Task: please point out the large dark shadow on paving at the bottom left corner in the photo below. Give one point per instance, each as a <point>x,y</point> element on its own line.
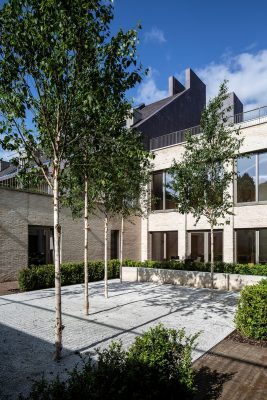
<point>26,358</point>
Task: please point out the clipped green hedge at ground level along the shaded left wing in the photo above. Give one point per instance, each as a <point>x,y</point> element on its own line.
<point>43,276</point>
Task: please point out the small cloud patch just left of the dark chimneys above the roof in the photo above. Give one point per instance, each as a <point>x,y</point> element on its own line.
<point>148,92</point>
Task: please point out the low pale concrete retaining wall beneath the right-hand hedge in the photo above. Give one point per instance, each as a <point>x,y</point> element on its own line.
<point>234,282</point>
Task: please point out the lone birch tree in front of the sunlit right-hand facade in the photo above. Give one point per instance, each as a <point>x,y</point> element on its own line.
<point>201,181</point>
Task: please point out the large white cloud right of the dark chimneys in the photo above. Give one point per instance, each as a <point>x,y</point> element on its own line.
<point>247,76</point>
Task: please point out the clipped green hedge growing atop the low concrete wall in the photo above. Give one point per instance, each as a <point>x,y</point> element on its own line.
<point>231,268</point>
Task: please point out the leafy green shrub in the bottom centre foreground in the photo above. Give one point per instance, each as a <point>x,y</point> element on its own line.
<point>156,366</point>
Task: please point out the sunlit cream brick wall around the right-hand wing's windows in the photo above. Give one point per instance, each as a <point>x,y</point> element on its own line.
<point>245,216</point>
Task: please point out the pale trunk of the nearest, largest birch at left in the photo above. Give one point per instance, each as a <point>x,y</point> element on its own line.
<point>57,234</point>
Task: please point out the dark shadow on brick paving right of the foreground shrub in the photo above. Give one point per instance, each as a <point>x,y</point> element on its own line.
<point>210,383</point>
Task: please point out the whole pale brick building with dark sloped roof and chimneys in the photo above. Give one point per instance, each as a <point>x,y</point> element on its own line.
<point>26,217</point>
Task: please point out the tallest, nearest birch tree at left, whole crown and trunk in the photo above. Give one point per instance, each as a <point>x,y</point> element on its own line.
<point>48,55</point>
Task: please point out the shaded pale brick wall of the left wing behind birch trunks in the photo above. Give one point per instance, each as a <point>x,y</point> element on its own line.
<point>19,209</point>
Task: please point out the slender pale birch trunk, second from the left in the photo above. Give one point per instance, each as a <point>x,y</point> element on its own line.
<point>86,227</point>
